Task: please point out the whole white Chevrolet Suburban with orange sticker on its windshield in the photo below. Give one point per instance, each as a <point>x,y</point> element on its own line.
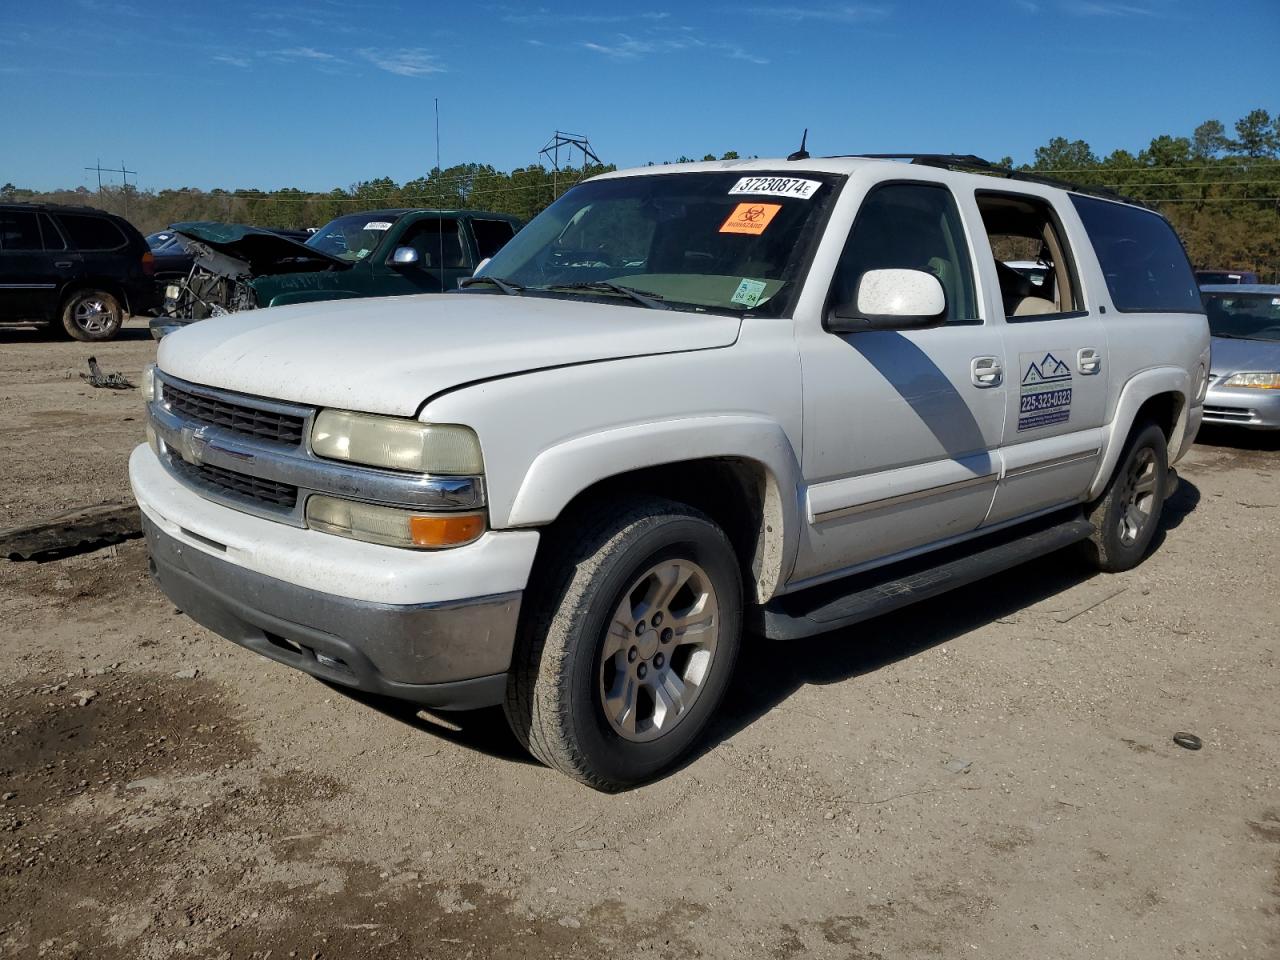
<point>684,403</point>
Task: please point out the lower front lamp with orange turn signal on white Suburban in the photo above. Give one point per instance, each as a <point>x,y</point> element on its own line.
<point>391,525</point>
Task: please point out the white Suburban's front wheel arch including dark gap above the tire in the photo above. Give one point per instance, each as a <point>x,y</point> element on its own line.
<point>740,472</point>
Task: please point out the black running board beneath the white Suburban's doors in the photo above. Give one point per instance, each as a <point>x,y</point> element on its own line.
<point>866,596</point>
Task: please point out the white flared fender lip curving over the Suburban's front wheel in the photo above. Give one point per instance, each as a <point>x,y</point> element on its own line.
<point>561,473</point>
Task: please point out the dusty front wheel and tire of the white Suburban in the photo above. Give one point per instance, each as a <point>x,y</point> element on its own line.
<point>595,570</point>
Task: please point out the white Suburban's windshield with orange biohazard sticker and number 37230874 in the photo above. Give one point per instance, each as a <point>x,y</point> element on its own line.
<point>701,241</point>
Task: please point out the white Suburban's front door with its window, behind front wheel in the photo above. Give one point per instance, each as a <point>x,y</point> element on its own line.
<point>903,428</point>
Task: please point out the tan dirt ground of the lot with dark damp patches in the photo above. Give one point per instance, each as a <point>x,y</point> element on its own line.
<point>990,775</point>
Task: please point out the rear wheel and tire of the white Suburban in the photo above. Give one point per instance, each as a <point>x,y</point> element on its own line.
<point>1127,515</point>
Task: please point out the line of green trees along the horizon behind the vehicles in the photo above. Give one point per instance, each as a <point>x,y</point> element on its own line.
<point>1220,191</point>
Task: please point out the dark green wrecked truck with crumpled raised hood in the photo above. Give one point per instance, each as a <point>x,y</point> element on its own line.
<point>374,254</point>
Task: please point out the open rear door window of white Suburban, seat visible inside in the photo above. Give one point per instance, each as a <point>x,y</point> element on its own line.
<point>1034,263</point>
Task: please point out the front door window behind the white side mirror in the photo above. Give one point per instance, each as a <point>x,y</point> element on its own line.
<point>915,227</point>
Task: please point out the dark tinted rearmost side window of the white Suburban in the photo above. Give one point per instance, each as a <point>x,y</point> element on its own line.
<point>1141,257</point>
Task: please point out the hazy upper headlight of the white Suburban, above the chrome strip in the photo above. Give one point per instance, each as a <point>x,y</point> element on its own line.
<point>397,444</point>
